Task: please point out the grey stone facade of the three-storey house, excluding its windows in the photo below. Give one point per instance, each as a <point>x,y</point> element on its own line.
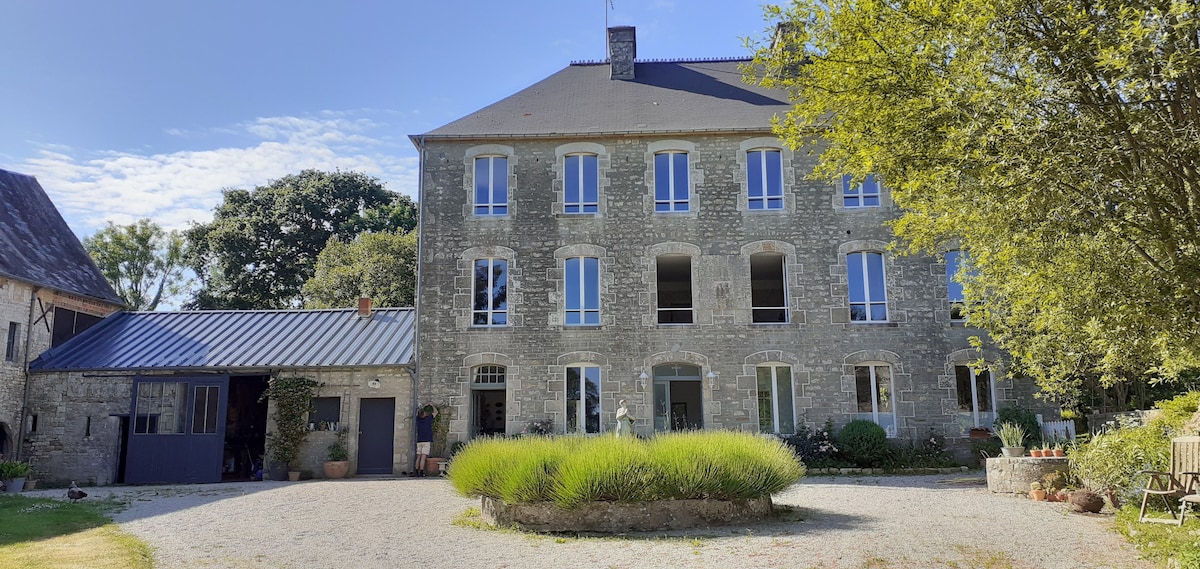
<point>814,232</point>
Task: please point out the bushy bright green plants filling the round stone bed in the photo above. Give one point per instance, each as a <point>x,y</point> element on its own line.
<point>574,470</point>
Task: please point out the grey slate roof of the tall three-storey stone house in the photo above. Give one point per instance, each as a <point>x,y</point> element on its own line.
<point>664,97</point>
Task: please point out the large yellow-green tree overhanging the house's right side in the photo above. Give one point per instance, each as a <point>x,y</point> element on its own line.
<point>1057,142</point>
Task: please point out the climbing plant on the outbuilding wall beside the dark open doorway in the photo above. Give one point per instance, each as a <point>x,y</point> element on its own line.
<point>292,398</point>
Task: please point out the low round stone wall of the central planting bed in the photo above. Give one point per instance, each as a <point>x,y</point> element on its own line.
<point>620,517</point>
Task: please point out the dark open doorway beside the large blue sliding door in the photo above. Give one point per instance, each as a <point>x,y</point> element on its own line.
<point>245,428</point>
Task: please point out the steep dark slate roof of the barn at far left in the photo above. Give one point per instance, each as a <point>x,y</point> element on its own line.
<point>38,247</point>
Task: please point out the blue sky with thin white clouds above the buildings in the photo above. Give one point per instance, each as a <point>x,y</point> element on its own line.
<point>128,110</point>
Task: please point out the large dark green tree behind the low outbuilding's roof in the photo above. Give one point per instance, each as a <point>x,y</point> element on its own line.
<point>262,245</point>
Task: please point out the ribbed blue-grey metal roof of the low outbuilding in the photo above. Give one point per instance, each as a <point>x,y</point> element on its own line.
<point>231,340</point>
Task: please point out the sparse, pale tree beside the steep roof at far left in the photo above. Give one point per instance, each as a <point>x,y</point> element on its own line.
<point>142,262</point>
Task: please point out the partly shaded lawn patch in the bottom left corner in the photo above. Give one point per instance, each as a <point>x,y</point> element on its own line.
<point>38,534</point>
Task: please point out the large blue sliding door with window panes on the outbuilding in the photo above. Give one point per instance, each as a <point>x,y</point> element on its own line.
<point>177,430</point>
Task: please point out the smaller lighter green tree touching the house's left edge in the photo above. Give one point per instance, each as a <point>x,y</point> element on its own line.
<point>381,266</point>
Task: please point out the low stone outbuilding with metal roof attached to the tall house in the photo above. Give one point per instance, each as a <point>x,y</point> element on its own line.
<point>177,397</point>
